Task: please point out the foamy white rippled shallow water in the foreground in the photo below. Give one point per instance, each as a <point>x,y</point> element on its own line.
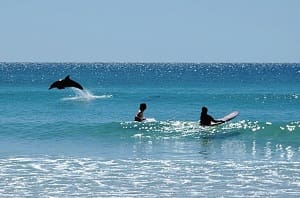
<point>83,177</point>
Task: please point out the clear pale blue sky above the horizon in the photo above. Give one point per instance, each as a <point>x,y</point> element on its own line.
<point>150,31</point>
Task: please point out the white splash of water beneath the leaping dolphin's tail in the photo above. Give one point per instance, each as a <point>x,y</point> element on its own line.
<point>85,95</point>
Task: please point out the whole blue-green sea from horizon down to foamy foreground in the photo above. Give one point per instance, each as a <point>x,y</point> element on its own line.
<point>73,143</point>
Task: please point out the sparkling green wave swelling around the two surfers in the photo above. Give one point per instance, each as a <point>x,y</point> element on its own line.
<point>183,129</point>
